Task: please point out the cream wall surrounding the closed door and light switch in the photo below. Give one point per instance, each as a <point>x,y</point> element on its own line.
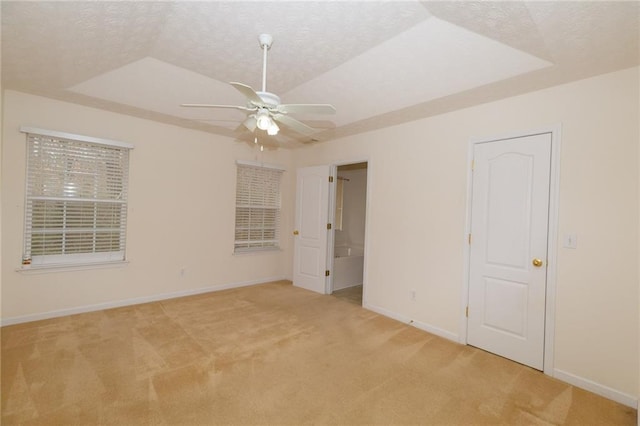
<point>416,218</point>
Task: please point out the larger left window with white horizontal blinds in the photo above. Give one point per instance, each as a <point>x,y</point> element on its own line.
<point>76,199</point>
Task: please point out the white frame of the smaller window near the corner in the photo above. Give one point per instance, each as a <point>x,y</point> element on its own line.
<point>271,207</point>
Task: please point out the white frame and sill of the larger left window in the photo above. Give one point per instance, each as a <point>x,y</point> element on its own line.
<point>87,209</point>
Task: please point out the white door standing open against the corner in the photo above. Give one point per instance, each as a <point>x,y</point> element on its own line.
<point>310,235</point>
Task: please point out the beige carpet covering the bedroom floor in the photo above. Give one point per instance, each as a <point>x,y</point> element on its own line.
<point>270,354</point>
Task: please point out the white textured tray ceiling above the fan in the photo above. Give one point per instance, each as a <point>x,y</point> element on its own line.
<point>380,63</point>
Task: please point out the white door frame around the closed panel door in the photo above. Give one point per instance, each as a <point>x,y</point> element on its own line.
<point>552,238</point>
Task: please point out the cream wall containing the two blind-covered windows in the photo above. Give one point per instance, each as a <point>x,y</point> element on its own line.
<point>181,213</point>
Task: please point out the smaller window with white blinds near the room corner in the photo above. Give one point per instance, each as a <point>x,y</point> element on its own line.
<point>257,208</point>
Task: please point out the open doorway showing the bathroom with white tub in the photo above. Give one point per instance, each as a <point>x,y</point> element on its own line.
<point>349,238</point>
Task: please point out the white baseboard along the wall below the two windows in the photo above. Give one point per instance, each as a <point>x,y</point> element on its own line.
<point>134,301</point>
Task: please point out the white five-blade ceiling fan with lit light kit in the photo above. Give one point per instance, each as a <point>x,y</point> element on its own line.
<point>264,108</point>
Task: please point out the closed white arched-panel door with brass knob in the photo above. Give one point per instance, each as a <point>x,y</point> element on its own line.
<point>508,257</point>
